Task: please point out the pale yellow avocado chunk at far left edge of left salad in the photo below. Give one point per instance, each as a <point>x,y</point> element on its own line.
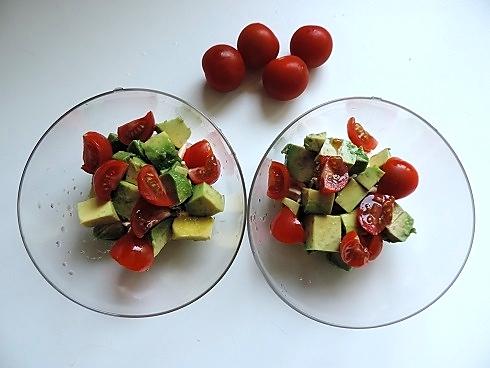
<point>92,213</point>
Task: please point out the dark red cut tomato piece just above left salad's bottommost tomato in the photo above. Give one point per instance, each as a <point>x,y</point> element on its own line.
<point>145,215</point>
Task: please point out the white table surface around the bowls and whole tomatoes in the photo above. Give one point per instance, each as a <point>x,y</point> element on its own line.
<point>431,56</point>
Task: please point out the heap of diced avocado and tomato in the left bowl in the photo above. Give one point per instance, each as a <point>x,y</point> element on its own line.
<point>149,186</point>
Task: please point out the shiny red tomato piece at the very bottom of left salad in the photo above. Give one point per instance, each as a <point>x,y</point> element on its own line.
<point>133,253</point>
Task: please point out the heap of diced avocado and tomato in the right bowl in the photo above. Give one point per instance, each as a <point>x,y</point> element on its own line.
<point>340,199</point>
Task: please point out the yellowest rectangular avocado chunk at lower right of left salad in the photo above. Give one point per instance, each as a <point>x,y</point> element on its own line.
<point>192,228</point>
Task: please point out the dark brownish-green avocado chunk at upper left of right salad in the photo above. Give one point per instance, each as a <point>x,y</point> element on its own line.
<point>300,162</point>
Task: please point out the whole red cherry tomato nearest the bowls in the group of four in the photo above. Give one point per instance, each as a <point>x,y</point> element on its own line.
<point>285,78</point>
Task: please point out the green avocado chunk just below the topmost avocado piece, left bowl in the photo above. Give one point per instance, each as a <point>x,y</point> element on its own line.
<point>160,150</point>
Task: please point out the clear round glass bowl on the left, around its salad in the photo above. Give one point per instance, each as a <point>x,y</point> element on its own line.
<point>73,261</point>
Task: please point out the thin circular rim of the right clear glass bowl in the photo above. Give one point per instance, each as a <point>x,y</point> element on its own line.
<point>249,207</point>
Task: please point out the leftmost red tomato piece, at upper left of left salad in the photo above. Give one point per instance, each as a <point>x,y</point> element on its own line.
<point>96,150</point>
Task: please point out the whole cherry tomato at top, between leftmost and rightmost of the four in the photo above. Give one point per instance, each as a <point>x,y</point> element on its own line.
<point>258,45</point>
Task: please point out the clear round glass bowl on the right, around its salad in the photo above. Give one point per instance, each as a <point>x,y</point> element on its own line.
<point>407,277</point>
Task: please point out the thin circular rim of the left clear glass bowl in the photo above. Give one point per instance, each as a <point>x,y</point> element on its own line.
<point>90,99</point>
